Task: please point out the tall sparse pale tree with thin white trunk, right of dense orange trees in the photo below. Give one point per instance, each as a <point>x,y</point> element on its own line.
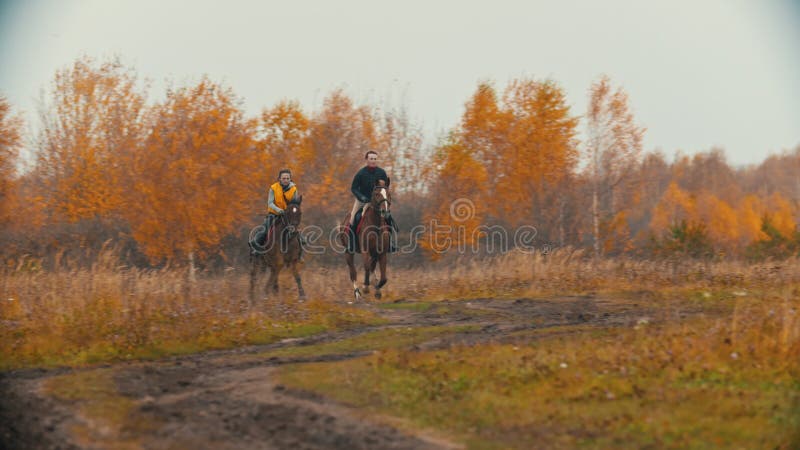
<point>613,149</point>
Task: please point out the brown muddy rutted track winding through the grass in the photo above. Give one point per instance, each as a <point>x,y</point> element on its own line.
<point>228,399</point>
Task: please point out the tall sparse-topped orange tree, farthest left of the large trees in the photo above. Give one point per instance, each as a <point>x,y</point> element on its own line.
<point>91,123</point>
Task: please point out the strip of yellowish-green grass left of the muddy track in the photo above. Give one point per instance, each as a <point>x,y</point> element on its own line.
<point>104,331</point>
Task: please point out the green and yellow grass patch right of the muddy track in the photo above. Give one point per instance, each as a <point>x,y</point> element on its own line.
<point>701,384</point>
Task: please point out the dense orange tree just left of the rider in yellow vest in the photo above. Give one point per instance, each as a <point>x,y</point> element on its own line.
<point>196,174</point>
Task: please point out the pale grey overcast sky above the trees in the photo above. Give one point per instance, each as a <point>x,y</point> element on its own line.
<point>699,73</point>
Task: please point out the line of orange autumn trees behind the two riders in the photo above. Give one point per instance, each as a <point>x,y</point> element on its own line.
<point>184,177</point>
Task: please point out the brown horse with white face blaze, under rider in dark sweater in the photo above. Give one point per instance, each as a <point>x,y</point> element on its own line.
<point>373,239</point>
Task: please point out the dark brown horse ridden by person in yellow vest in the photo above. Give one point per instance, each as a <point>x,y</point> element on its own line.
<point>283,248</point>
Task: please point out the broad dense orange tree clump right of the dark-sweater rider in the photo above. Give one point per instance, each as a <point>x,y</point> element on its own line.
<point>507,158</point>
